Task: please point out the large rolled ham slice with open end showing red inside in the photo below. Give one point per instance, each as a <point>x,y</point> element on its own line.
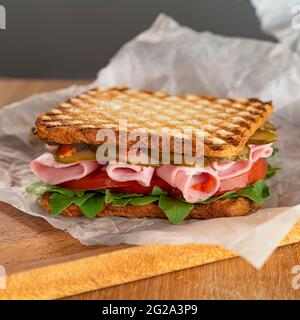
<point>184,178</point>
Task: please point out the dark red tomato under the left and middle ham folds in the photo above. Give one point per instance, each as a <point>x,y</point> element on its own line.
<point>99,180</point>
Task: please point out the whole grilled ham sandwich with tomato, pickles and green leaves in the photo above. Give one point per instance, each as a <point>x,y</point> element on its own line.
<point>75,179</point>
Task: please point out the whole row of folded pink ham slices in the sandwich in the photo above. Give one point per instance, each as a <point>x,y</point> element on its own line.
<point>196,184</point>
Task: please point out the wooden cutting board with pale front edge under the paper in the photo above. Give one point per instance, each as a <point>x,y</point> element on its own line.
<point>44,263</point>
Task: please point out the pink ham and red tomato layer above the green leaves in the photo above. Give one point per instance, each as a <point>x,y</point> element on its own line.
<point>195,184</point>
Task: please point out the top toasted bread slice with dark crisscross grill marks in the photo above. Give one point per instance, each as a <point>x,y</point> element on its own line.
<point>227,123</point>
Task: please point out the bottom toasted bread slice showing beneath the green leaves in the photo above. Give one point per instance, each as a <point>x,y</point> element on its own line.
<point>220,208</point>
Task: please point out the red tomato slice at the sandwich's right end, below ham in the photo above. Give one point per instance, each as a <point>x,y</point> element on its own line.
<point>258,171</point>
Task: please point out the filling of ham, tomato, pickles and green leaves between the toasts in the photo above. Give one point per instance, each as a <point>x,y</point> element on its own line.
<point>74,176</point>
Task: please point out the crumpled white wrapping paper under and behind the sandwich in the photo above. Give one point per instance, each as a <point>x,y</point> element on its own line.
<point>179,60</point>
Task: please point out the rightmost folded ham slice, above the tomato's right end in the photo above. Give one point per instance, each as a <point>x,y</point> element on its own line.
<point>227,170</point>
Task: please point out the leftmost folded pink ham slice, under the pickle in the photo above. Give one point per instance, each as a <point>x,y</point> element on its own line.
<point>48,170</point>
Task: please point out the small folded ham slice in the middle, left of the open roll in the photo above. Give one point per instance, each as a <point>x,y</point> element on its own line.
<point>125,172</point>
